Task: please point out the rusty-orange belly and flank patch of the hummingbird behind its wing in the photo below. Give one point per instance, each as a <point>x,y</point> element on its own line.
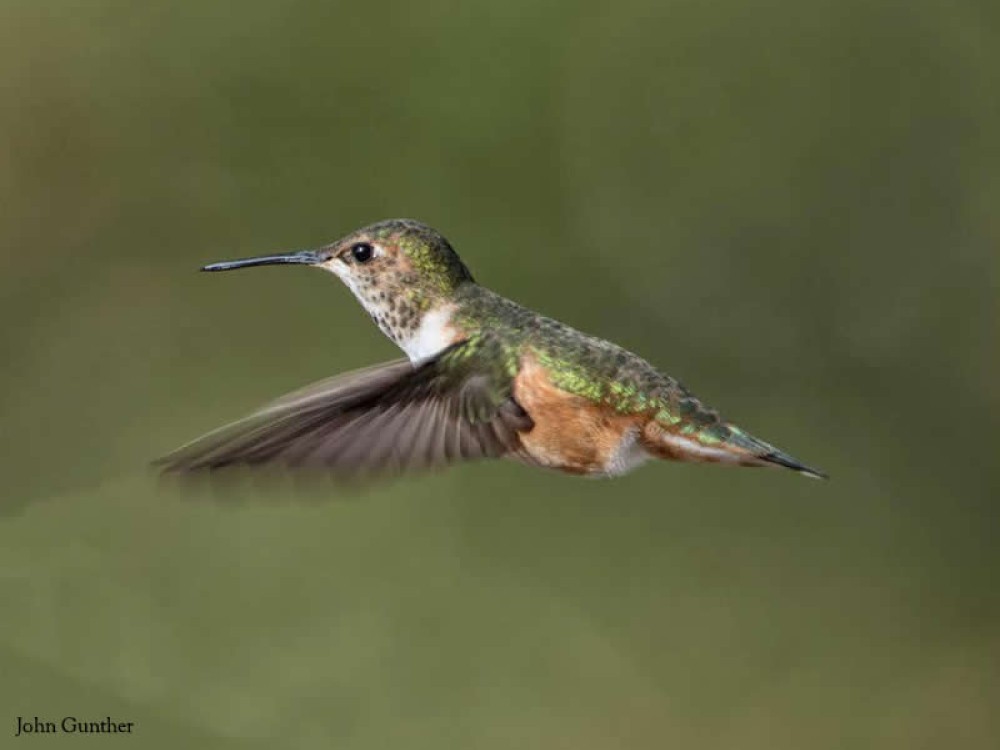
<point>573,434</point>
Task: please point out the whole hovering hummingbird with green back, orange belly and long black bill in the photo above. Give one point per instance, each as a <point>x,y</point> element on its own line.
<point>483,377</point>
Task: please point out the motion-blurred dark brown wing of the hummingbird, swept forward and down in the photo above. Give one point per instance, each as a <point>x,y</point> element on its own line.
<point>387,419</point>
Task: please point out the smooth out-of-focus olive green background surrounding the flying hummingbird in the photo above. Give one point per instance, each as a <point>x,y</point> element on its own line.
<point>791,206</point>
